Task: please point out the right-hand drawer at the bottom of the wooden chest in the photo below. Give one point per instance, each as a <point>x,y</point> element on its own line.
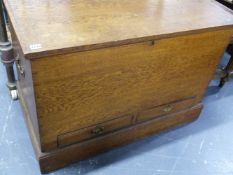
<point>165,109</point>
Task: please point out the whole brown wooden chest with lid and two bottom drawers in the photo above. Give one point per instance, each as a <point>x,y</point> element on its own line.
<point>94,75</point>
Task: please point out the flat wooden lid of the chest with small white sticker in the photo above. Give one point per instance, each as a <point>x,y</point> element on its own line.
<point>55,26</point>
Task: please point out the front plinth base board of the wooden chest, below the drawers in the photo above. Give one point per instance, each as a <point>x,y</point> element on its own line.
<point>74,153</point>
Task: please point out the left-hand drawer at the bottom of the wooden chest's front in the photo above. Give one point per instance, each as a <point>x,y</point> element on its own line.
<point>94,131</point>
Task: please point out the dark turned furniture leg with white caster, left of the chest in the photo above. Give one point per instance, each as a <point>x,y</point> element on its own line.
<point>7,54</point>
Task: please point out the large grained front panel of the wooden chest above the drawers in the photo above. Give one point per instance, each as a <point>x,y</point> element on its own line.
<point>78,90</point>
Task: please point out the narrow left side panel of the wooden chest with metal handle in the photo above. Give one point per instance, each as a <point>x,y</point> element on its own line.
<point>25,86</point>
